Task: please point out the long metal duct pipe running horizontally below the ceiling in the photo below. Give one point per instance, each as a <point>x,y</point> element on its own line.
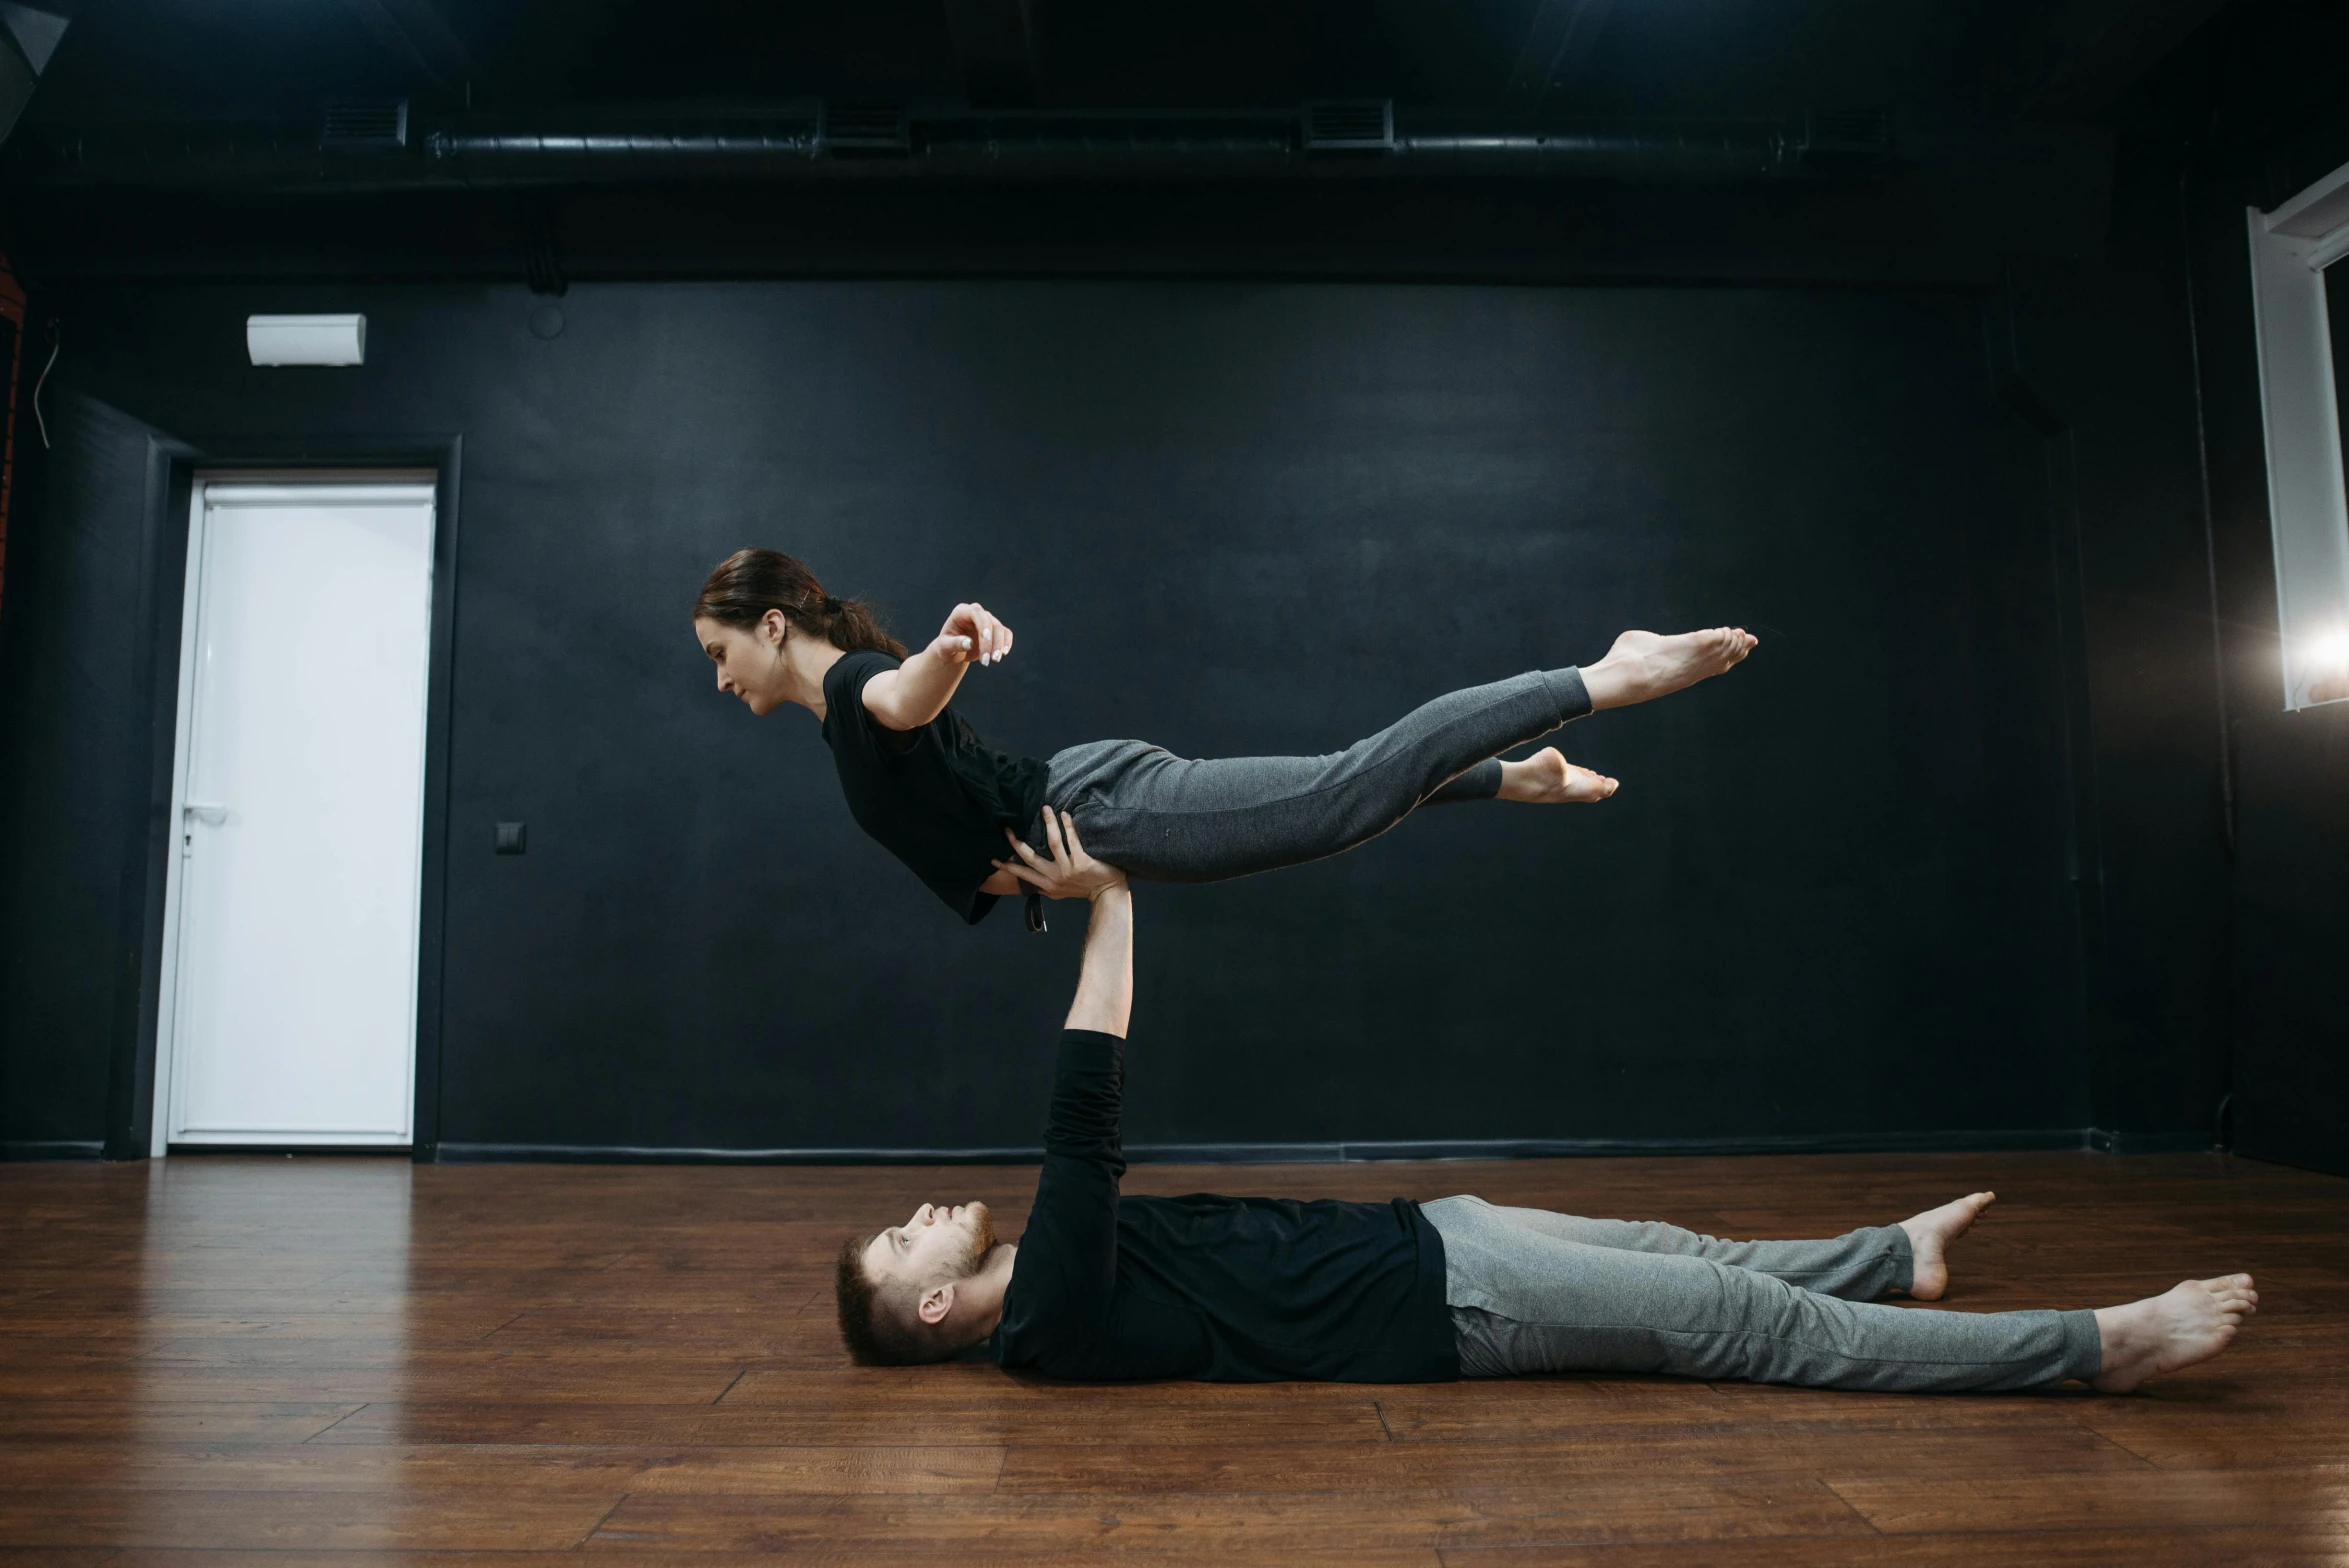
<point>887,144</point>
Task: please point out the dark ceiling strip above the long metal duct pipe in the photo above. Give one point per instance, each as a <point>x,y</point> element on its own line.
<point>1930,62</point>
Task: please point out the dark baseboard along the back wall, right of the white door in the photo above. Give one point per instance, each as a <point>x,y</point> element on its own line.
<point>1359,1151</point>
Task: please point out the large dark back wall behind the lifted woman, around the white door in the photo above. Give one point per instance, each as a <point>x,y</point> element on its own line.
<point>1836,895</point>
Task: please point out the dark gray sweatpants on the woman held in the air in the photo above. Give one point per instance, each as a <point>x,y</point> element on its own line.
<point>1166,818</point>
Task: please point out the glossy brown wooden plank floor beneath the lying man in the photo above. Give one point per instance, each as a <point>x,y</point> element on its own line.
<point>220,1360</point>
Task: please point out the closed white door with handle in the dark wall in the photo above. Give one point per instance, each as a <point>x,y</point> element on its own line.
<point>302,762</point>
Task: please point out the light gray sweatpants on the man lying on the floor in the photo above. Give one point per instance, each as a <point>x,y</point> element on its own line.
<point>1540,1292</point>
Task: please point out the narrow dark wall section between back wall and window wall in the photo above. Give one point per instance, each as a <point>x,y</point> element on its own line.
<point>2111,353</point>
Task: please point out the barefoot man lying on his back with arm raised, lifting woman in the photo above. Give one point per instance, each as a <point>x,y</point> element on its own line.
<point>1110,1287</point>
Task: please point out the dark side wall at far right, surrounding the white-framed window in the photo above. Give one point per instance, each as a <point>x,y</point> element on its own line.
<point>2254,116</point>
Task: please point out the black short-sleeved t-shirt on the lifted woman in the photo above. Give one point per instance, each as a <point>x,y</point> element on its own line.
<point>934,797</point>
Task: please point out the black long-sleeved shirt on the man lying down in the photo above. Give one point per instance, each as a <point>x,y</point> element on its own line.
<point>1227,1290</point>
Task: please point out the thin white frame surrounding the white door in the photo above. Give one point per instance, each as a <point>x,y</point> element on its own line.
<point>189,635</point>
